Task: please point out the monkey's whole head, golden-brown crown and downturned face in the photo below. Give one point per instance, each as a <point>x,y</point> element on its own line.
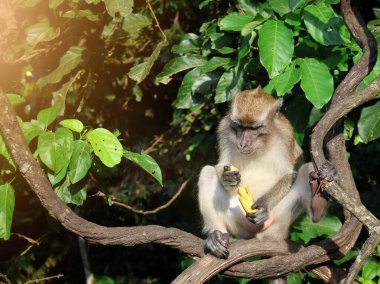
<point>251,120</point>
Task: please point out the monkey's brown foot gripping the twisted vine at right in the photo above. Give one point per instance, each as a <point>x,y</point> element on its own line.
<point>319,199</point>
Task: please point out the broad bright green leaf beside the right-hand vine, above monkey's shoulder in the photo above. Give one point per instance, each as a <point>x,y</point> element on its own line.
<point>316,82</point>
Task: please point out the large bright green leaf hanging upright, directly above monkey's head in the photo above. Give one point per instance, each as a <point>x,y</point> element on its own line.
<point>275,46</point>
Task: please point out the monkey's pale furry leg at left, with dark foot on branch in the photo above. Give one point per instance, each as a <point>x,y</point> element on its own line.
<point>213,204</point>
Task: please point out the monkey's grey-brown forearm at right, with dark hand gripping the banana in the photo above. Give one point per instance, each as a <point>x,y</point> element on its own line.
<point>269,200</point>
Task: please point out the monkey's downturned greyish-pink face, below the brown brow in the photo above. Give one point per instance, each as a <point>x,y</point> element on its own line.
<point>249,138</point>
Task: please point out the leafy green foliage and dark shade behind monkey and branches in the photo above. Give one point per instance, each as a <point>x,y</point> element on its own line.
<point>108,90</point>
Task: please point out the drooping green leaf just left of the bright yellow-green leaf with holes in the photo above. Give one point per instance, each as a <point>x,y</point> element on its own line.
<point>80,161</point>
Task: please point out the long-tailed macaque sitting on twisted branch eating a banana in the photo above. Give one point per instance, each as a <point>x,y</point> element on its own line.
<point>258,140</point>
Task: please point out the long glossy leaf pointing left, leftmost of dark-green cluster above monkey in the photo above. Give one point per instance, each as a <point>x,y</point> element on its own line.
<point>179,64</point>
